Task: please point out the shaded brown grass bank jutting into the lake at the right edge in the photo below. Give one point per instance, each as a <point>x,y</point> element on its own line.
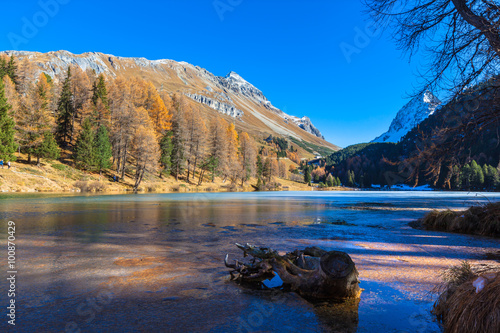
<point>477,220</point>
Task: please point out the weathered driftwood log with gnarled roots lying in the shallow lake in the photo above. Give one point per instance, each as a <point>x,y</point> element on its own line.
<point>313,273</point>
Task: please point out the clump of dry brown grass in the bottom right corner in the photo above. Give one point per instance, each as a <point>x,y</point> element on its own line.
<point>460,308</point>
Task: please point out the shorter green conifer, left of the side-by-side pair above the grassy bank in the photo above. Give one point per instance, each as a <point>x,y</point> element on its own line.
<point>85,155</point>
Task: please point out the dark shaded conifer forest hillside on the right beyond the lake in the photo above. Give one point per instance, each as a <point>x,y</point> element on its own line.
<point>456,148</point>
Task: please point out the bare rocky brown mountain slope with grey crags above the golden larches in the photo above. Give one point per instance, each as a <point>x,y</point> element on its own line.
<point>231,95</point>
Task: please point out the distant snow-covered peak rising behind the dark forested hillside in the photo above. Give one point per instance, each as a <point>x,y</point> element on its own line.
<point>411,115</point>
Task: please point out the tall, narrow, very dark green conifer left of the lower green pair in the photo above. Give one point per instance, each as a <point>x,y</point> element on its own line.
<point>65,111</point>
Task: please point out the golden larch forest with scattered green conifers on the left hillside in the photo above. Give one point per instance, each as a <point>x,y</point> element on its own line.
<point>126,126</point>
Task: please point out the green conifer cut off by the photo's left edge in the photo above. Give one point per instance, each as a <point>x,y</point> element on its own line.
<point>7,143</point>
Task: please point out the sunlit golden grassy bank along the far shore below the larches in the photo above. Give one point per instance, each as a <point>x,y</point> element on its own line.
<point>57,178</point>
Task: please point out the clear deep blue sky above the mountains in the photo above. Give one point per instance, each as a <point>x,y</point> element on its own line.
<point>291,50</point>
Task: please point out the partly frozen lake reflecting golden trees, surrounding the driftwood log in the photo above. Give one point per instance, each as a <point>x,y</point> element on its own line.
<point>154,262</point>
